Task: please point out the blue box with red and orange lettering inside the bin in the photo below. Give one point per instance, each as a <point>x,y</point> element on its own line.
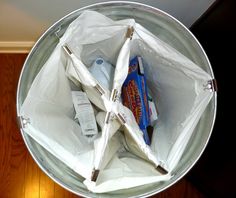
<point>135,95</point>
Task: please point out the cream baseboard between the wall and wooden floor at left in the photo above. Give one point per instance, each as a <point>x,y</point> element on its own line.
<point>16,46</point>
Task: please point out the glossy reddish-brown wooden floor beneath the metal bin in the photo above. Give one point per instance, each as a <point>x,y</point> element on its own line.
<point>19,174</point>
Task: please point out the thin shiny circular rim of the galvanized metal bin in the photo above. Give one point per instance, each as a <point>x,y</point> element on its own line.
<point>135,5</point>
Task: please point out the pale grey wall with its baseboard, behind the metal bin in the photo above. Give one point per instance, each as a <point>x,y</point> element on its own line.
<point>22,22</point>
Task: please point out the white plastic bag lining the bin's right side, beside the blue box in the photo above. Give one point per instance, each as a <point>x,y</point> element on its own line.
<point>178,85</point>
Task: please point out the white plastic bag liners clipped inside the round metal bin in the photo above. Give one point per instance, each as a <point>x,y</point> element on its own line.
<point>176,84</point>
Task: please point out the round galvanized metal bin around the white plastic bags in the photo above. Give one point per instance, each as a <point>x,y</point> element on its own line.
<point>162,25</point>
